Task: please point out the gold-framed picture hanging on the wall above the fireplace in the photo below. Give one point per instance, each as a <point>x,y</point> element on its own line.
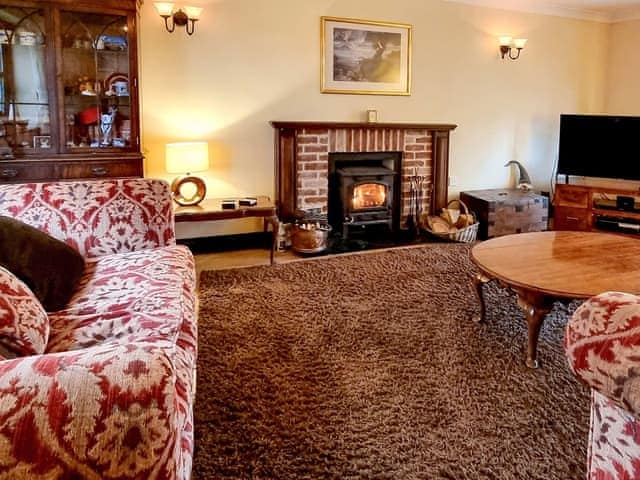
<point>365,57</point>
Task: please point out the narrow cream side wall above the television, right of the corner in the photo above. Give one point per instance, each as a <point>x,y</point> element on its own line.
<point>623,72</point>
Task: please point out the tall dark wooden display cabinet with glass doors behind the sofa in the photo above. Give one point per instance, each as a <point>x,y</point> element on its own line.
<point>69,104</point>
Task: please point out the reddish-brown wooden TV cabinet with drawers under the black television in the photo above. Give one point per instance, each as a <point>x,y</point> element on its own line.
<point>576,207</point>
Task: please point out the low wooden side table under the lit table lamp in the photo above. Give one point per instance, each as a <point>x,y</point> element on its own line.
<point>211,209</point>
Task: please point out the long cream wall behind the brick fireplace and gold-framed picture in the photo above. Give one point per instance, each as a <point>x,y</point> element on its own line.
<point>252,61</point>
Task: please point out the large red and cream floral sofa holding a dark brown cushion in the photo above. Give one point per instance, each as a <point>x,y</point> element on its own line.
<point>112,395</point>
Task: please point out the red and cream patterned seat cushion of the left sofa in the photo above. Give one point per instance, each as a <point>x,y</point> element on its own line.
<point>125,298</point>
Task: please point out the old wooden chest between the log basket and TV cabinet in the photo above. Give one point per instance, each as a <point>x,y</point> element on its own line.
<point>506,211</point>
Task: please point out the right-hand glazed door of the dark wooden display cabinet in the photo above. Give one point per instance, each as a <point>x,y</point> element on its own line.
<point>98,113</point>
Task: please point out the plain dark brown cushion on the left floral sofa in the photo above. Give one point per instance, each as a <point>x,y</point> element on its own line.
<point>49,267</point>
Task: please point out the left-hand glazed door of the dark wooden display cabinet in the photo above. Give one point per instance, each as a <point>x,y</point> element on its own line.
<point>25,114</point>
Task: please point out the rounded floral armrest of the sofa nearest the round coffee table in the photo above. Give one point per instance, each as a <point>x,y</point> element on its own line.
<point>602,346</point>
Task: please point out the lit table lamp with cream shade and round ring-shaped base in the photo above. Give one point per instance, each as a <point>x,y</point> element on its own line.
<point>185,158</point>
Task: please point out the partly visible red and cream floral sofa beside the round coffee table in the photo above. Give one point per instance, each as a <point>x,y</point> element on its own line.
<point>602,344</point>
